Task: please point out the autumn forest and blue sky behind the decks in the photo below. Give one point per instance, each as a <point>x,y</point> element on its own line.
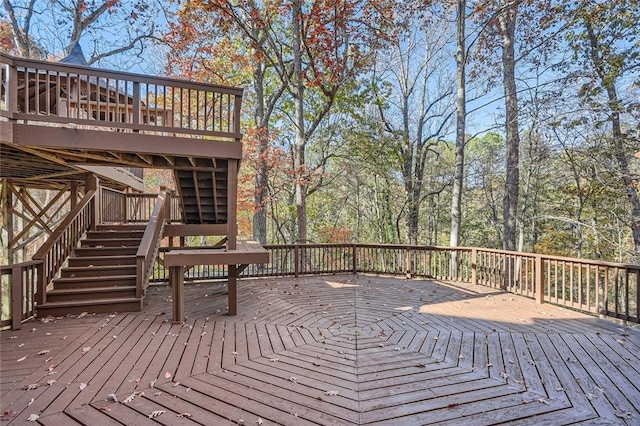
<point>491,123</point>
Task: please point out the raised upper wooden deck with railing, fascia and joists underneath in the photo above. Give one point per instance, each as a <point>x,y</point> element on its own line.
<point>55,115</point>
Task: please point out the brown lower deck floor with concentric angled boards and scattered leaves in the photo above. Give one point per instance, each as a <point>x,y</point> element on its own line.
<point>326,350</point>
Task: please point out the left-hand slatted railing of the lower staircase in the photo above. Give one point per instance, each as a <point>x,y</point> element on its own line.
<point>57,248</point>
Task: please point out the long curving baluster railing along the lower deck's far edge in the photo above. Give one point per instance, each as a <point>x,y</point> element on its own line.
<point>603,288</point>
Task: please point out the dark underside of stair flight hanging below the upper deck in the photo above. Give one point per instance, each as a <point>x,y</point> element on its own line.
<point>203,194</point>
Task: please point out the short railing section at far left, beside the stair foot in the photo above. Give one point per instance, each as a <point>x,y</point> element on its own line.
<point>19,283</point>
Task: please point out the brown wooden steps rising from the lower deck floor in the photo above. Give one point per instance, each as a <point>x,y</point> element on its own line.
<point>100,276</point>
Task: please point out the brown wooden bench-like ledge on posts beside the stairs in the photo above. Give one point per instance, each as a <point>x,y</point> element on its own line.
<point>245,254</point>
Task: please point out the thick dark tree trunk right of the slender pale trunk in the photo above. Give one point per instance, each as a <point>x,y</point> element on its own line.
<point>510,201</point>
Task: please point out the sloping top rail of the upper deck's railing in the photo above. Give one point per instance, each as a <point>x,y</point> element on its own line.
<point>113,74</point>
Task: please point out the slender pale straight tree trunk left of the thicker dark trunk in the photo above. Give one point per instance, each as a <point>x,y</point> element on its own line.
<point>456,199</point>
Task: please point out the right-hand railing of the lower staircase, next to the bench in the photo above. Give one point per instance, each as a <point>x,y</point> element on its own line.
<point>150,244</point>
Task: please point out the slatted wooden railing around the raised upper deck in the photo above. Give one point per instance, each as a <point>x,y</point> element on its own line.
<point>107,100</point>
